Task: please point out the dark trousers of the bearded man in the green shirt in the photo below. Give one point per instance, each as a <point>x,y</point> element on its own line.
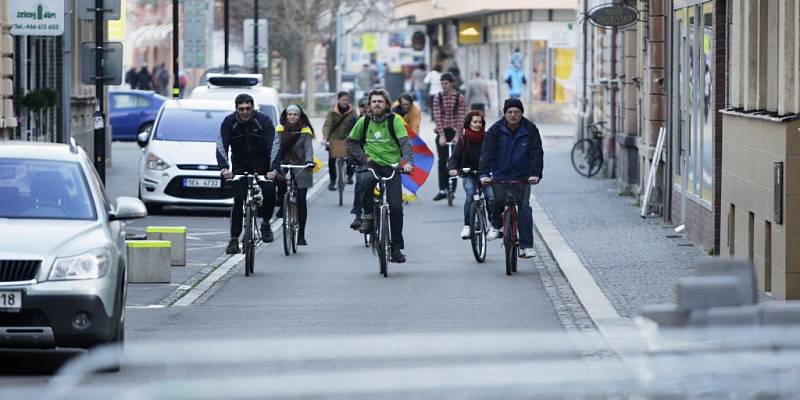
<point>394,194</point>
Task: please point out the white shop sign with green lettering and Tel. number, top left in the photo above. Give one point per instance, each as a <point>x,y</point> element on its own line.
<point>36,18</point>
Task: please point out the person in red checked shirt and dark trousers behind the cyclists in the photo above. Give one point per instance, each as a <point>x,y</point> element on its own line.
<point>449,110</point>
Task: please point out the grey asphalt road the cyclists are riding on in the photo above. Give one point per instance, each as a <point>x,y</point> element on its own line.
<point>331,287</point>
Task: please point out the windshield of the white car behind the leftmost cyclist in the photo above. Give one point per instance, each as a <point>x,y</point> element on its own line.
<point>190,125</point>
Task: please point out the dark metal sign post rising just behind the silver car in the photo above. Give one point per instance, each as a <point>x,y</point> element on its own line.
<point>99,116</point>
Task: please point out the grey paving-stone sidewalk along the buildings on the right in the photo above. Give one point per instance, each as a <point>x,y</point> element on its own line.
<point>632,259</point>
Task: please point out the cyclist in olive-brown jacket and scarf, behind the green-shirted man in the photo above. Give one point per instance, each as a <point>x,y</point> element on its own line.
<point>338,122</point>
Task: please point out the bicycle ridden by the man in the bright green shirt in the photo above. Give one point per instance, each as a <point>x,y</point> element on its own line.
<point>380,235</point>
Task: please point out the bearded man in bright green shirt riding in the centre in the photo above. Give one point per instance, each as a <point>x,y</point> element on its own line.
<point>383,146</point>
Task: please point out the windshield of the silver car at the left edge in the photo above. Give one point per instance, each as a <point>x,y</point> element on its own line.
<point>42,189</point>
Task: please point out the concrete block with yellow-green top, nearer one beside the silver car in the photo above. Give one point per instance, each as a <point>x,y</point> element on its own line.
<point>148,261</point>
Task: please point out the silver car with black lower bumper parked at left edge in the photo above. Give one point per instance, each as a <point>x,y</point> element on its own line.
<point>62,256</point>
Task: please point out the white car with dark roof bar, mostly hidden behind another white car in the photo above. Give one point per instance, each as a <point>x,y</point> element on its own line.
<point>227,87</point>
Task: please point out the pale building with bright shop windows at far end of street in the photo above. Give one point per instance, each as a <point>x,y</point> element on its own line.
<point>479,37</point>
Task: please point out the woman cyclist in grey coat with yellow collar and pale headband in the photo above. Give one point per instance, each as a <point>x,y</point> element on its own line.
<point>293,145</point>
